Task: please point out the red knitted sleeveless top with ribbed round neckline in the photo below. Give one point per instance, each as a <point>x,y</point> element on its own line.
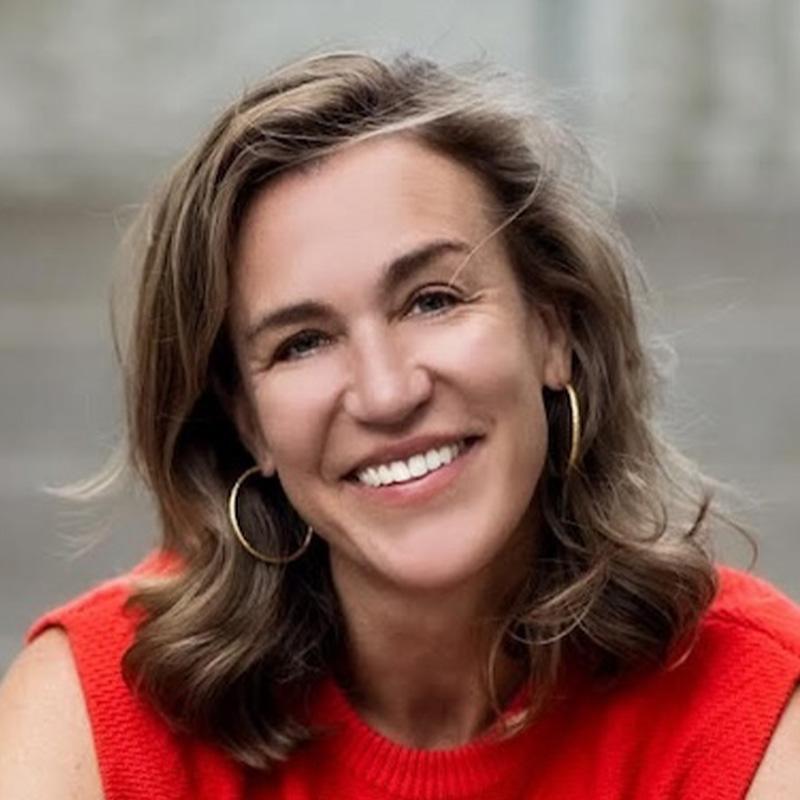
<point>697,730</point>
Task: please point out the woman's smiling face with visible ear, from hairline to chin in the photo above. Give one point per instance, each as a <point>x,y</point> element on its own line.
<point>392,373</point>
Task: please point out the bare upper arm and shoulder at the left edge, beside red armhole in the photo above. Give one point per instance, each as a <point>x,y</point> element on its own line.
<point>46,747</point>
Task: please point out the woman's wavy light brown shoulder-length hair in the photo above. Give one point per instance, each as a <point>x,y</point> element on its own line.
<point>227,644</point>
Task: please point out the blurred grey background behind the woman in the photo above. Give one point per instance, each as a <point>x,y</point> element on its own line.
<point>693,106</point>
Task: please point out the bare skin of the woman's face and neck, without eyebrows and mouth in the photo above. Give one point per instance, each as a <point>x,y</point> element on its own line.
<point>417,583</point>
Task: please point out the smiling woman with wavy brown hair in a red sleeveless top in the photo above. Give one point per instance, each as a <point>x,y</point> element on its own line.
<point>420,536</point>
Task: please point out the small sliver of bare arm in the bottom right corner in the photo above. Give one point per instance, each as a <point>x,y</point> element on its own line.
<point>778,776</point>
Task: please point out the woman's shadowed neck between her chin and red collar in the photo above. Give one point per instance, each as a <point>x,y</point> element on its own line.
<point>417,660</point>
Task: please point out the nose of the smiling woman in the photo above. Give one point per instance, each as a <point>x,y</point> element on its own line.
<point>386,387</point>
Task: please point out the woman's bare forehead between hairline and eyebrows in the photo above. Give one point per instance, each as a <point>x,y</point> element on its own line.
<point>360,207</point>
